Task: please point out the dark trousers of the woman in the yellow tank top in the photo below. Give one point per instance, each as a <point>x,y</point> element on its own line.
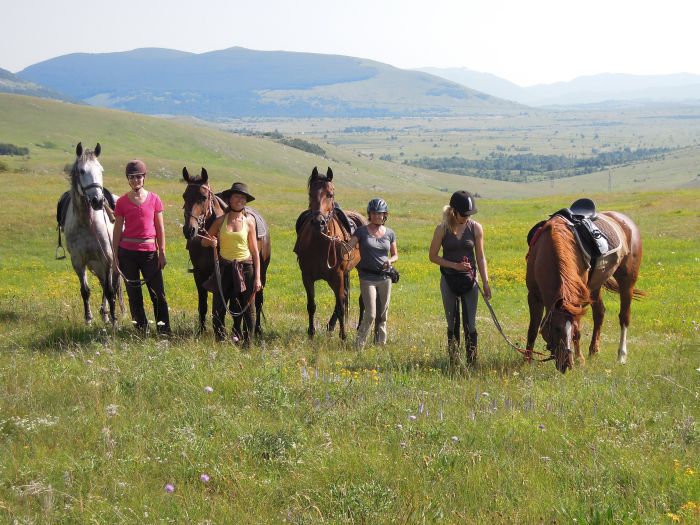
<point>238,303</point>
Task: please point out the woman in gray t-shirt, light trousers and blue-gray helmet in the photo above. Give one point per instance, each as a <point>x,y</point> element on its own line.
<point>377,251</point>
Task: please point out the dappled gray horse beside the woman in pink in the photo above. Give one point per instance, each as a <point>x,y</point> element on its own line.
<point>89,231</point>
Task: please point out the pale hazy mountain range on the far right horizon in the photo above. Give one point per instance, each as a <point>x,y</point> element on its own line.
<point>604,89</point>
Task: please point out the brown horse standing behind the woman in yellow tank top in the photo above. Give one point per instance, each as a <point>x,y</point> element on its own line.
<point>202,206</point>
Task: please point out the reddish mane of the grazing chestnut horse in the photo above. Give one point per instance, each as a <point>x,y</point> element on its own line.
<point>573,291</point>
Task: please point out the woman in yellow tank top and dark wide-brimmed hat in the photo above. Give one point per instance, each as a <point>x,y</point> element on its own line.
<point>235,235</point>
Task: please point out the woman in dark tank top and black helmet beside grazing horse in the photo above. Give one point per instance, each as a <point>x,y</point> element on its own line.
<point>462,241</point>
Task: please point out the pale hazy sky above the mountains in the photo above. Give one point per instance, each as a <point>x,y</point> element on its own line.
<point>525,41</point>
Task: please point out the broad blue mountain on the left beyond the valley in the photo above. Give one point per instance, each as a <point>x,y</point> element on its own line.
<point>240,82</point>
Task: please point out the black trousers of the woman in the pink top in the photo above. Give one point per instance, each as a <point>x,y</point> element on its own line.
<point>133,264</point>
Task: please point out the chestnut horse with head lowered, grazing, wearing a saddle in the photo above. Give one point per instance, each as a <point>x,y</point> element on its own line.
<point>559,285</point>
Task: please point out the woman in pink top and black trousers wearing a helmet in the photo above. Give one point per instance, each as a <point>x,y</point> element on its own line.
<point>139,248</point>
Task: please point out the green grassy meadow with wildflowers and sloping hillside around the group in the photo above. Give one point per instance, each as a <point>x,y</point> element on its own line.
<point>98,426</point>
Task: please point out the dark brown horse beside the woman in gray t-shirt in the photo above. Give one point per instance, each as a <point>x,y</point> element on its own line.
<point>323,232</point>
